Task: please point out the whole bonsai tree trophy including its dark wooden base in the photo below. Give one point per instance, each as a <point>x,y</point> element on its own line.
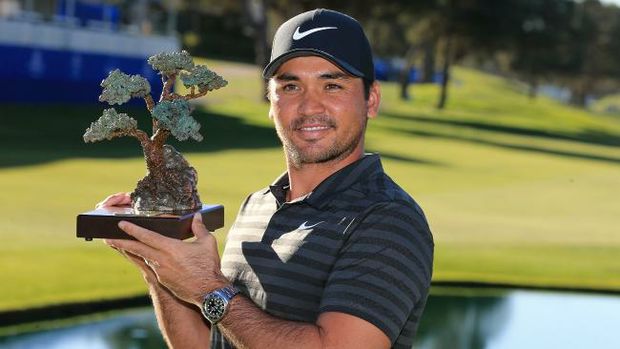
<point>166,199</point>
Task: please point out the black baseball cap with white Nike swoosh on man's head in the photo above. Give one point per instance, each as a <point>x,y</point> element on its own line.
<point>326,33</point>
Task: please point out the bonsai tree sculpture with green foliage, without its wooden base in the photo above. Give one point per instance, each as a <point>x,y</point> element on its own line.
<point>170,182</point>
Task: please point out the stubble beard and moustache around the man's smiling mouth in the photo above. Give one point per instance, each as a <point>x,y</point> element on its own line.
<point>337,150</point>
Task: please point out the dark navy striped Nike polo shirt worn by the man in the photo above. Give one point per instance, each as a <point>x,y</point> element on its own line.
<point>357,244</point>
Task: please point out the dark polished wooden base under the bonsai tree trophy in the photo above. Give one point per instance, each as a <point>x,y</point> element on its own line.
<point>103,222</point>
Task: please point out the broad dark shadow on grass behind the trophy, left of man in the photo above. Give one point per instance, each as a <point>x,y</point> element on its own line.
<point>38,134</point>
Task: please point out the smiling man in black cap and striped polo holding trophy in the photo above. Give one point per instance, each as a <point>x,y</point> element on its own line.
<point>333,253</point>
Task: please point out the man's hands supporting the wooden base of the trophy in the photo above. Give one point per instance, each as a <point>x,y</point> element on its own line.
<point>187,269</point>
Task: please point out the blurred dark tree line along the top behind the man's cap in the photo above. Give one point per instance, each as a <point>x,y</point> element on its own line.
<point>567,43</point>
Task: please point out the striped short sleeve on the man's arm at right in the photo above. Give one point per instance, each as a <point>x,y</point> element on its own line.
<point>383,271</point>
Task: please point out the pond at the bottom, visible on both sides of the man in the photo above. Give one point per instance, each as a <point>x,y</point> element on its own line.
<point>454,319</point>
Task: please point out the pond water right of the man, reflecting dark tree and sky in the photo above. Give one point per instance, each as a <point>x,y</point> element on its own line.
<point>520,319</point>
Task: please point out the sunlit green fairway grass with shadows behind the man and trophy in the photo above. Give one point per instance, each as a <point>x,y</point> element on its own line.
<point>516,191</point>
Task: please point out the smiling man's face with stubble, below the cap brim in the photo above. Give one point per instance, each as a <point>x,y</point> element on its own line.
<point>319,111</point>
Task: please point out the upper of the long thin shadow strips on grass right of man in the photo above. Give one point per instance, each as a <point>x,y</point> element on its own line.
<point>585,136</point>
